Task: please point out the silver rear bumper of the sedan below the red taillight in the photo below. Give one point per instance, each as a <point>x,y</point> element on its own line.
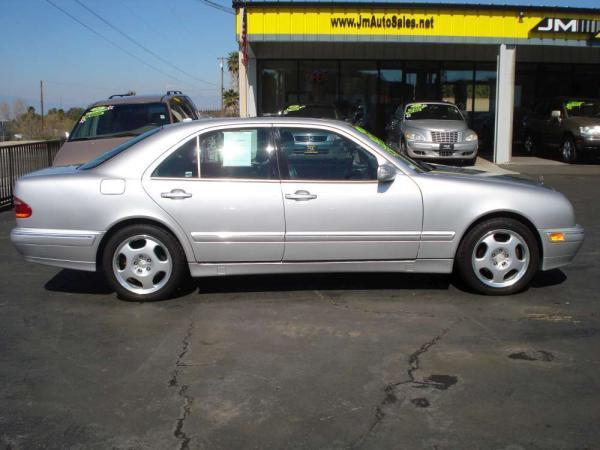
<point>71,249</point>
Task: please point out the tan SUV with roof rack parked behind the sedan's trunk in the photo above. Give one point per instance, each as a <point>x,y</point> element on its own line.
<point>108,123</point>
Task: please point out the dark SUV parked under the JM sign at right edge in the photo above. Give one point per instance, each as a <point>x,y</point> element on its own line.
<point>569,125</point>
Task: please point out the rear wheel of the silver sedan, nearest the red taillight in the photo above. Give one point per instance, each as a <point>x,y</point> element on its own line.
<point>144,263</point>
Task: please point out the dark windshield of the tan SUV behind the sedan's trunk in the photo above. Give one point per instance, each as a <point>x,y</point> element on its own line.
<point>119,120</point>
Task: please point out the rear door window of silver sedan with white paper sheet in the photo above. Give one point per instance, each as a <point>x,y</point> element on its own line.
<point>245,153</point>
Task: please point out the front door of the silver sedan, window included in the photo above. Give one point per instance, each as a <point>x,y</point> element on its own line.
<point>334,207</point>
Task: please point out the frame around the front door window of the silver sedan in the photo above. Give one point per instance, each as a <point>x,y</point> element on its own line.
<point>282,163</point>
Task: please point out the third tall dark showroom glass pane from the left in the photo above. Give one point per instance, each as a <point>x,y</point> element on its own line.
<point>358,99</point>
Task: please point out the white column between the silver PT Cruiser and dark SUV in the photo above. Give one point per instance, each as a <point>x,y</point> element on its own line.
<point>505,99</point>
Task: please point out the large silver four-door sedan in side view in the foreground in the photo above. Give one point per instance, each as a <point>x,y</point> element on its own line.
<point>231,196</point>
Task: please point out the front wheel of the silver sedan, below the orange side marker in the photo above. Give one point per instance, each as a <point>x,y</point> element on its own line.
<point>499,256</point>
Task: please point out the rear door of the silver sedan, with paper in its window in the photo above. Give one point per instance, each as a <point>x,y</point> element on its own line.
<point>223,189</point>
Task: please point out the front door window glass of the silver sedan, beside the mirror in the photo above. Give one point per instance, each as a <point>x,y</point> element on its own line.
<point>313,154</point>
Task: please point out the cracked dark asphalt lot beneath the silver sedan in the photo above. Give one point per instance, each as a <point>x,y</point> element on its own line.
<point>324,361</point>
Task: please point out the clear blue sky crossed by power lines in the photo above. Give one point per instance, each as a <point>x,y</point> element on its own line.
<point>38,42</point>
